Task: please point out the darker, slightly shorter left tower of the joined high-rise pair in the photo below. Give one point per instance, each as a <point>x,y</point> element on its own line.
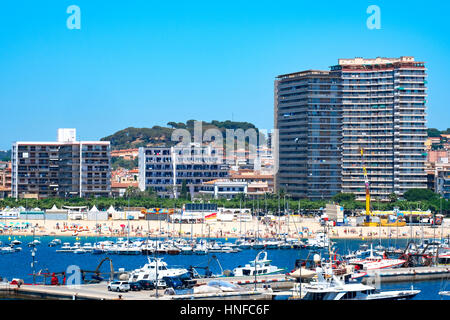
<point>308,119</point>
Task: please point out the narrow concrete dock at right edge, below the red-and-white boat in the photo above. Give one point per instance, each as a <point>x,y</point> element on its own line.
<point>408,274</point>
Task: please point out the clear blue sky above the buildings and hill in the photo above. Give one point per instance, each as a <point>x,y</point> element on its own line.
<point>144,63</point>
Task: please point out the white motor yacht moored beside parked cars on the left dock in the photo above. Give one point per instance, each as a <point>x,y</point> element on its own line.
<point>148,271</point>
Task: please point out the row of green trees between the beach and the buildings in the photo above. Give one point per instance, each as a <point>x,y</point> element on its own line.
<point>270,202</point>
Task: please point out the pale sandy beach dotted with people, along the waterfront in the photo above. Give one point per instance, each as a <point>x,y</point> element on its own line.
<point>297,228</point>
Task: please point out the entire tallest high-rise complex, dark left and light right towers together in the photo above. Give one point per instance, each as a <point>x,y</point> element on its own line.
<point>377,105</point>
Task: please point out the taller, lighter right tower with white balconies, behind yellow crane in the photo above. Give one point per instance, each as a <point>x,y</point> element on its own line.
<point>383,112</point>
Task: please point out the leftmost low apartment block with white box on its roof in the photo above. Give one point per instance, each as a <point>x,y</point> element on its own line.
<point>65,168</point>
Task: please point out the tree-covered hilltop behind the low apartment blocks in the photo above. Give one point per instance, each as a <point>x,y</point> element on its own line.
<point>161,136</point>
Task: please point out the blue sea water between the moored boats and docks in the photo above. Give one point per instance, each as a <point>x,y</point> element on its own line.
<point>18,265</point>
